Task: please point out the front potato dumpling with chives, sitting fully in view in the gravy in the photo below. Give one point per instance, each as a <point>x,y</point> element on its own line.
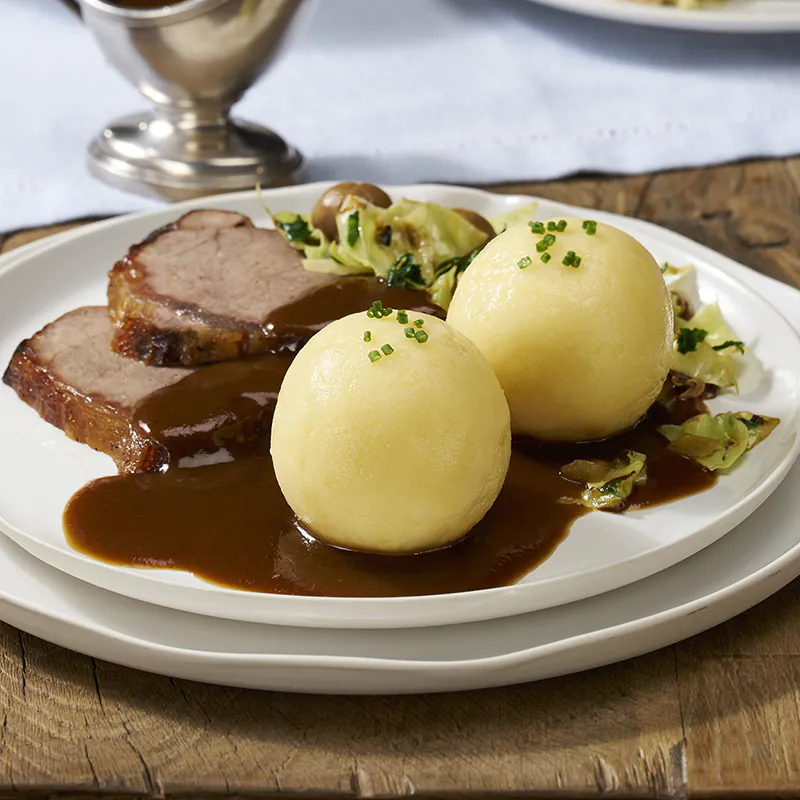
<point>396,444</point>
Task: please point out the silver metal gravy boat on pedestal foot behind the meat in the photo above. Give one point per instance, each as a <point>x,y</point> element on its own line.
<point>193,59</point>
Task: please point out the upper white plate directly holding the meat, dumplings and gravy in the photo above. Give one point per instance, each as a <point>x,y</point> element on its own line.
<point>40,468</point>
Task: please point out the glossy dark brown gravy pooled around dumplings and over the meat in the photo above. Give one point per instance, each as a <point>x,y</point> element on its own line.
<point>217,510</point>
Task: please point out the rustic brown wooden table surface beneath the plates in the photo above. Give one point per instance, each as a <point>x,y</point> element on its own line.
<point>715,715</point>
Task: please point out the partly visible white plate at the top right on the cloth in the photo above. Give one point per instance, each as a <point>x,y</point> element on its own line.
<point>734,16</point>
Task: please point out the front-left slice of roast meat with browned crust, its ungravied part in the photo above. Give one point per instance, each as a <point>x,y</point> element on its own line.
<point>69,374</point>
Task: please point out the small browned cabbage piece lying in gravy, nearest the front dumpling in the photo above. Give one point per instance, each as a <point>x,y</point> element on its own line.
<point>608,484</point>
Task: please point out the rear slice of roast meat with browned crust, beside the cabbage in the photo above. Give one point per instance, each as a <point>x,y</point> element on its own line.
<point>203,290</point>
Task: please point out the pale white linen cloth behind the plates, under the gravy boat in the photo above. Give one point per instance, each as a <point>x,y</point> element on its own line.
<point>462,91</point>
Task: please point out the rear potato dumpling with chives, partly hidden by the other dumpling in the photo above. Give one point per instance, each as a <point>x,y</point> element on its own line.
<point>576,321</point>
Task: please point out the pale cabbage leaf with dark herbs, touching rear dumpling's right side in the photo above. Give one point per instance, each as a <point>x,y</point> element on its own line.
<point>706,348</point>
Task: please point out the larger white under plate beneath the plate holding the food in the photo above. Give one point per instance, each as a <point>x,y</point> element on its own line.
<point>756,559</point>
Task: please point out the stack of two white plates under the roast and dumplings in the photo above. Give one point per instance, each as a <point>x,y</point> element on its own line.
<point>619,585</point>
